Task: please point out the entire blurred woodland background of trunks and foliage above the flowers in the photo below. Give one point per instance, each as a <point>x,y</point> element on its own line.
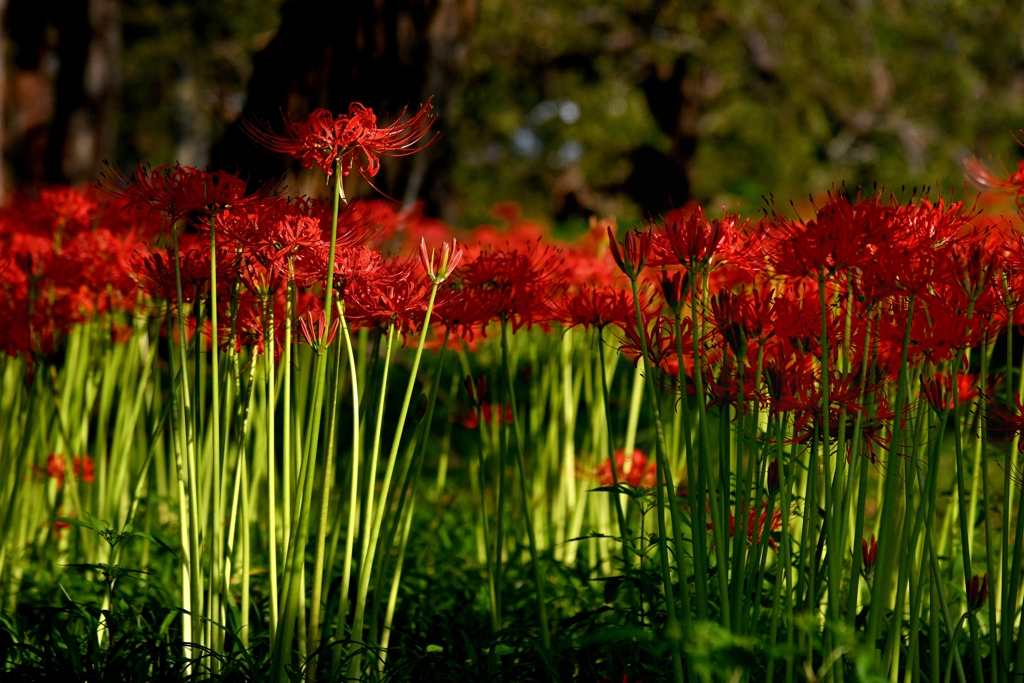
<point>571,108</point>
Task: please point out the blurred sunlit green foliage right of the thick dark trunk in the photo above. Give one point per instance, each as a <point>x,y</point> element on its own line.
<point>784,97</point>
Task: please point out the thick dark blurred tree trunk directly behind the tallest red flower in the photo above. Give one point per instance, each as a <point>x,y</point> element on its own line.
<point>388,55</point>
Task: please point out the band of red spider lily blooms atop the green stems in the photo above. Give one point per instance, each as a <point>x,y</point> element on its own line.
<point>737,305</point>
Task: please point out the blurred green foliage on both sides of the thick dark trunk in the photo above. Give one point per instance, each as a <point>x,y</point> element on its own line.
<point>771,97</point>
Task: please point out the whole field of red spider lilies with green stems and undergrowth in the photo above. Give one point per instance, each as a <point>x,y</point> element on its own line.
<point>247,437</point>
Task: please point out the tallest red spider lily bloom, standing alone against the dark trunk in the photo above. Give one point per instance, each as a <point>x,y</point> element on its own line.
<point>325,141</point>
